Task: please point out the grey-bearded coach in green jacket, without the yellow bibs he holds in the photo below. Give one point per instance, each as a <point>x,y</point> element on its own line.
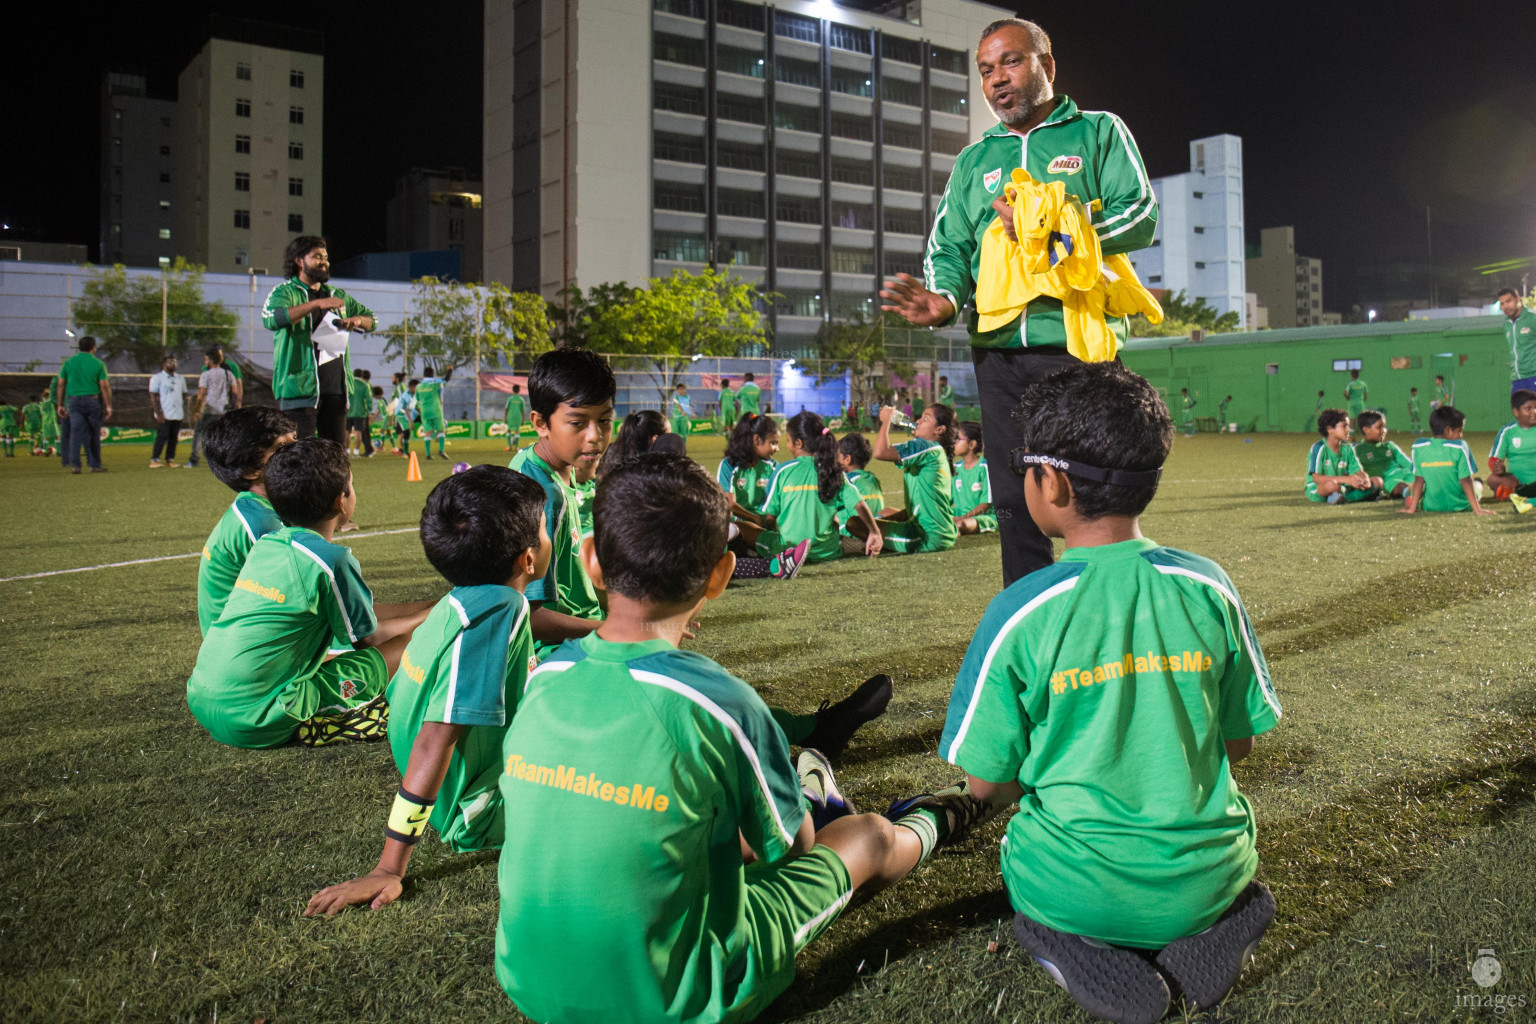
<point>1045,134</point>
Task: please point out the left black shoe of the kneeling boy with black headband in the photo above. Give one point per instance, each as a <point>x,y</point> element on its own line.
<point>1108,982</point>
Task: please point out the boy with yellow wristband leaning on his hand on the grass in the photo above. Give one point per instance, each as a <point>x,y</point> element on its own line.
<point>462,676</point>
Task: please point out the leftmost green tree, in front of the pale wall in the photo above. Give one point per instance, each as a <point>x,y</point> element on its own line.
<point>125,314</point>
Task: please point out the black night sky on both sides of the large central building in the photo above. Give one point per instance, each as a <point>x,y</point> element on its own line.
<point>1354,116</point>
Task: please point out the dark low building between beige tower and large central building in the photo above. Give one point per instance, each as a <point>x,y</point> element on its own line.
<point>439,211</point>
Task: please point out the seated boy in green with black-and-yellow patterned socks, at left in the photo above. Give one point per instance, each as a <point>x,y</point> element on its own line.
<point>300,650</point>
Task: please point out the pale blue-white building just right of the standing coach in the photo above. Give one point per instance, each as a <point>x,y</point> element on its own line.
<point>1199,243</point>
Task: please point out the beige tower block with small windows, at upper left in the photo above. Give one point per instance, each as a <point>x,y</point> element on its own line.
<point>248,153</point>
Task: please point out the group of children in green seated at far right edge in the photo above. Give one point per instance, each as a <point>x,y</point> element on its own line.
<point>1442,475</point>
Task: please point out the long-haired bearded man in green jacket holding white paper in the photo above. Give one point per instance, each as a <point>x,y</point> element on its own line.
<point>310,322</point>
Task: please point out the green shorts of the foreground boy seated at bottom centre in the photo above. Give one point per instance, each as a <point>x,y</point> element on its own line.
<point>789,905</point>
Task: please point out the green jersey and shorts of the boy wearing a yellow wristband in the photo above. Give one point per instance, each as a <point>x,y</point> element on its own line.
<point>466,666</point>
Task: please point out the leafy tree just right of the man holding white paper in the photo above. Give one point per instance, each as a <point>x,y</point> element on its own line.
<point>458,325</point>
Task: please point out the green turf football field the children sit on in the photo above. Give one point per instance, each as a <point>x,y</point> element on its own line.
<point>148,874</point>
